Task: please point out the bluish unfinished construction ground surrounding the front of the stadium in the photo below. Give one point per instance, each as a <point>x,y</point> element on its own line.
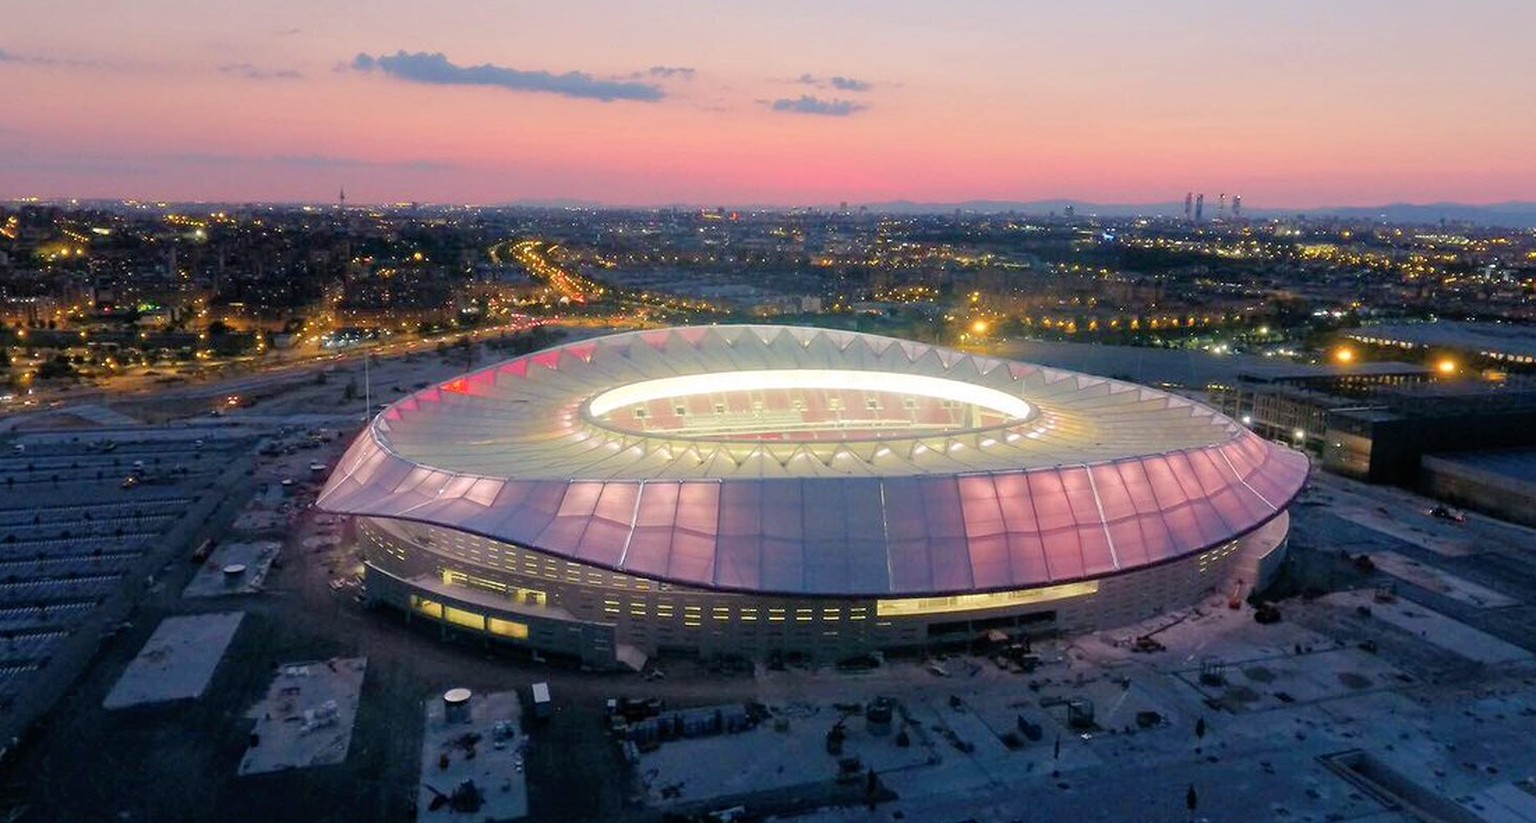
<point>1388,676</point>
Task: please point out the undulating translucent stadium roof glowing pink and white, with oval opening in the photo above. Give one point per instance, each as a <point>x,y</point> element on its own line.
<point>741,458</point>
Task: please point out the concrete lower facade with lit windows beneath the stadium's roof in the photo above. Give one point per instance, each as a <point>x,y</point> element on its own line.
<point>588,613</point>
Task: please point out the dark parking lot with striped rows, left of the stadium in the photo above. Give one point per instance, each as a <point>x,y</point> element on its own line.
<point>87,520</point>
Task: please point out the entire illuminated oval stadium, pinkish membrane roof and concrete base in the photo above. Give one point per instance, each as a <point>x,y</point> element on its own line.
<point>760,491</point>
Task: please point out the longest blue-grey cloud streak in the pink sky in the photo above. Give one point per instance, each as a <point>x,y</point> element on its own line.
<point>439,71</point>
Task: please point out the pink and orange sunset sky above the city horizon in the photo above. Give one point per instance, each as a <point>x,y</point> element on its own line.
<point>1299,104</point>
